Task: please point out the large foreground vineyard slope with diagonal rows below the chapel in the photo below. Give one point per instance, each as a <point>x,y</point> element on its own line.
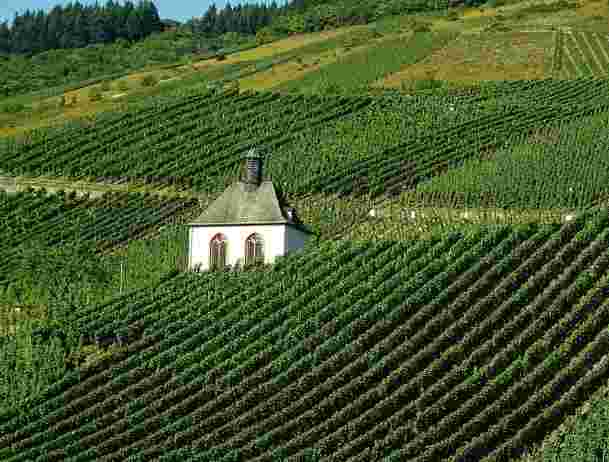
<point>453,348</point>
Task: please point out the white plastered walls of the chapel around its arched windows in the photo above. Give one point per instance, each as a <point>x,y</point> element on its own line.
<point>274,237</point>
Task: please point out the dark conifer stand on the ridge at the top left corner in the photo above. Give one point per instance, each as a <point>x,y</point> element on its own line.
<point>76,26</point>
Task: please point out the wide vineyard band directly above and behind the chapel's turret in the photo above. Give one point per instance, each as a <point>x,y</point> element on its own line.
<point>316,144</point>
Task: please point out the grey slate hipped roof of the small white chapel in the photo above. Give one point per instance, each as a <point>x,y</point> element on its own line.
<point>244,204</point>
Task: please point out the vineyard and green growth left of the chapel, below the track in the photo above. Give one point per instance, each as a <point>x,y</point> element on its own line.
<point>60,251</point>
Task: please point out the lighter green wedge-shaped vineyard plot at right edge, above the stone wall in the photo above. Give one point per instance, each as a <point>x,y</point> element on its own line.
<point>558,165</point>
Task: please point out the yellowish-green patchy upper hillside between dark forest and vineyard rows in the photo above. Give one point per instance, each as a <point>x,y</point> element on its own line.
<point>517,41</point>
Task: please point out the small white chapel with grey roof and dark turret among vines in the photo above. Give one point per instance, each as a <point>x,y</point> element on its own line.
<point>246,224</point>
